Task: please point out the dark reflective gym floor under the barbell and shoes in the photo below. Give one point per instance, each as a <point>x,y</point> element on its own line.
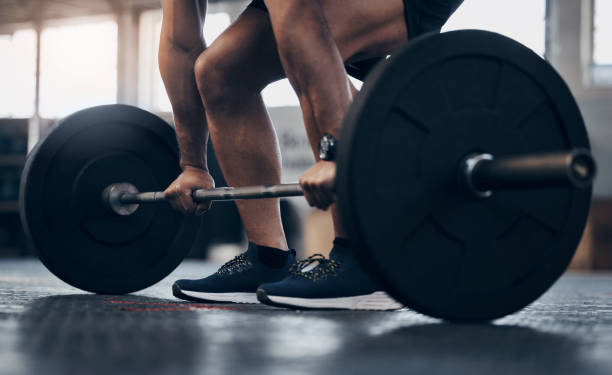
<point>48,327</point>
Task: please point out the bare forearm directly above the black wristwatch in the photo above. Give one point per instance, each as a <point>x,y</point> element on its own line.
<point>315,68</point>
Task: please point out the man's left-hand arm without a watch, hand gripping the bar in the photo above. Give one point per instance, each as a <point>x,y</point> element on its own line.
<point>181,42</point>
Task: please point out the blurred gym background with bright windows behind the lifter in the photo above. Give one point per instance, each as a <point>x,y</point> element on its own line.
<point>58,56</point>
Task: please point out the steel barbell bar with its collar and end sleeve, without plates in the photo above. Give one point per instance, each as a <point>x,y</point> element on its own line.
<point>480,173</point>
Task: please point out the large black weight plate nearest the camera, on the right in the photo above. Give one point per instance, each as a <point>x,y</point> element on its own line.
<point>438,250</point>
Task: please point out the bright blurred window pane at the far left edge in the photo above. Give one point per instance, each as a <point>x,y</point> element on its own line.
<point>18,74</point>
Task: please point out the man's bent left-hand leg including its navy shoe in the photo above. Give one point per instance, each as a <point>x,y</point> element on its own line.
<point>230,75</point>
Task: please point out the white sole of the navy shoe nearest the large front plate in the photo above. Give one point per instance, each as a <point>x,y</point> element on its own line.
<point>377,301</point>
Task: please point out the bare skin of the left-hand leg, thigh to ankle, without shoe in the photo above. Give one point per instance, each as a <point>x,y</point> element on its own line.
<point>230,76</point>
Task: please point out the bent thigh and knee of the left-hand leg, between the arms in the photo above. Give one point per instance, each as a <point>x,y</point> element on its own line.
<point>246,52</point>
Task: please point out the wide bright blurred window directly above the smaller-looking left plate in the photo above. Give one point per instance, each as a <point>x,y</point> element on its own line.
<point>78,67</point>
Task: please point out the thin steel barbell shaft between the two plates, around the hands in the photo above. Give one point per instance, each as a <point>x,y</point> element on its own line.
<point>221,194</point>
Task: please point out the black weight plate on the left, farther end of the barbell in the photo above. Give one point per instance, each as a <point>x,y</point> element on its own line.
<point>77,238</point>
